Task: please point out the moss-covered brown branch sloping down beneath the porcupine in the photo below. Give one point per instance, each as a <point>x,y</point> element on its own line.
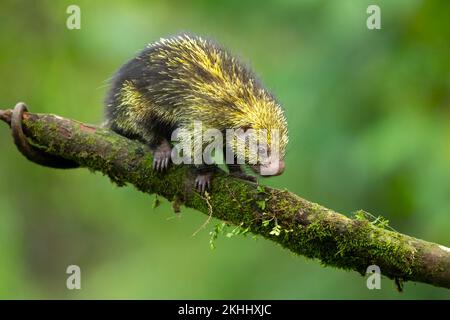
<point>303,227</point>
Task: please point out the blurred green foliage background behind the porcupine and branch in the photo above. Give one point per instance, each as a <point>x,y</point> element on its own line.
<point>369,120</point>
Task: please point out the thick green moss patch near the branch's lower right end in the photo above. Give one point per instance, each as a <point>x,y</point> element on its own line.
<point>347,244</point>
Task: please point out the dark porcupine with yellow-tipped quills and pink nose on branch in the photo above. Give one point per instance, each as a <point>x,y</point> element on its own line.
<point>176,81</point>
